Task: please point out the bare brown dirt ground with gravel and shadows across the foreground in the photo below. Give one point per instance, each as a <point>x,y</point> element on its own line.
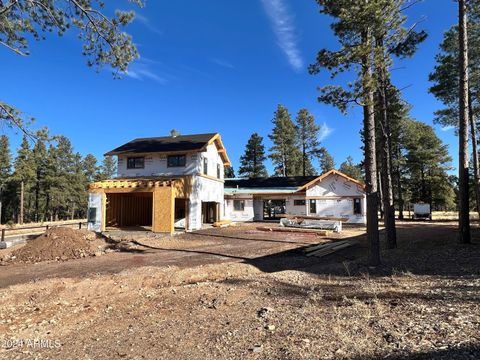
<point>238,293</point>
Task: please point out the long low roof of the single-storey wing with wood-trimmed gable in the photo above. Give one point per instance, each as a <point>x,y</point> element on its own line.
<point>289,184</point>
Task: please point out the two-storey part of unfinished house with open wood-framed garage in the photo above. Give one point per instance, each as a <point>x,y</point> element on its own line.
<point>162,183</point>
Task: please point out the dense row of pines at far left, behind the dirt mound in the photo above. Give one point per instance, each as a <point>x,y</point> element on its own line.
<point>47,179</point>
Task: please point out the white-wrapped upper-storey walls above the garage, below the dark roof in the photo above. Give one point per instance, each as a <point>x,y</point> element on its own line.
<point>156,164</point>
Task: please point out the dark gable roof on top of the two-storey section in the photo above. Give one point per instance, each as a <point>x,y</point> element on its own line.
<point>172,144</point>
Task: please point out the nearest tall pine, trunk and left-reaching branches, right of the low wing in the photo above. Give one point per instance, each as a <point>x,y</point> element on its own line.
<point>353,24</point>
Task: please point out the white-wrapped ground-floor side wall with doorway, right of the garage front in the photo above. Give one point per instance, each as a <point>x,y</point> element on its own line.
<point>206,190</point>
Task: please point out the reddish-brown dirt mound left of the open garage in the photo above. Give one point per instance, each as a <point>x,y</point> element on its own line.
<point>58,244</point>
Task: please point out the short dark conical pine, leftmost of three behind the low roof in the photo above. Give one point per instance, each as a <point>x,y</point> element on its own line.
<point>252,161</point>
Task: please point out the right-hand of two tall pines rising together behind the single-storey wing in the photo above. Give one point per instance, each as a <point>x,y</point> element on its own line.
<point>308,139</point>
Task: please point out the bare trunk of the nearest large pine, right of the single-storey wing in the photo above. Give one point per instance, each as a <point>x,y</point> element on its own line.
<point>370,156</point>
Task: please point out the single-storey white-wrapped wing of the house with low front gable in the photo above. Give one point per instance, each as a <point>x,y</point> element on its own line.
<point>332,194</point>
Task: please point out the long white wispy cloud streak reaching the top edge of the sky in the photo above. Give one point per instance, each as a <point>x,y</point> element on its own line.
<point>284,29</point>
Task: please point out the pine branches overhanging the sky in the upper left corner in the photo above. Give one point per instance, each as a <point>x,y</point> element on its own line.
<point>103,37</point>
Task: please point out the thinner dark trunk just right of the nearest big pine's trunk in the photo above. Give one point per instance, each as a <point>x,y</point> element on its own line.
<point>385,158</point>
